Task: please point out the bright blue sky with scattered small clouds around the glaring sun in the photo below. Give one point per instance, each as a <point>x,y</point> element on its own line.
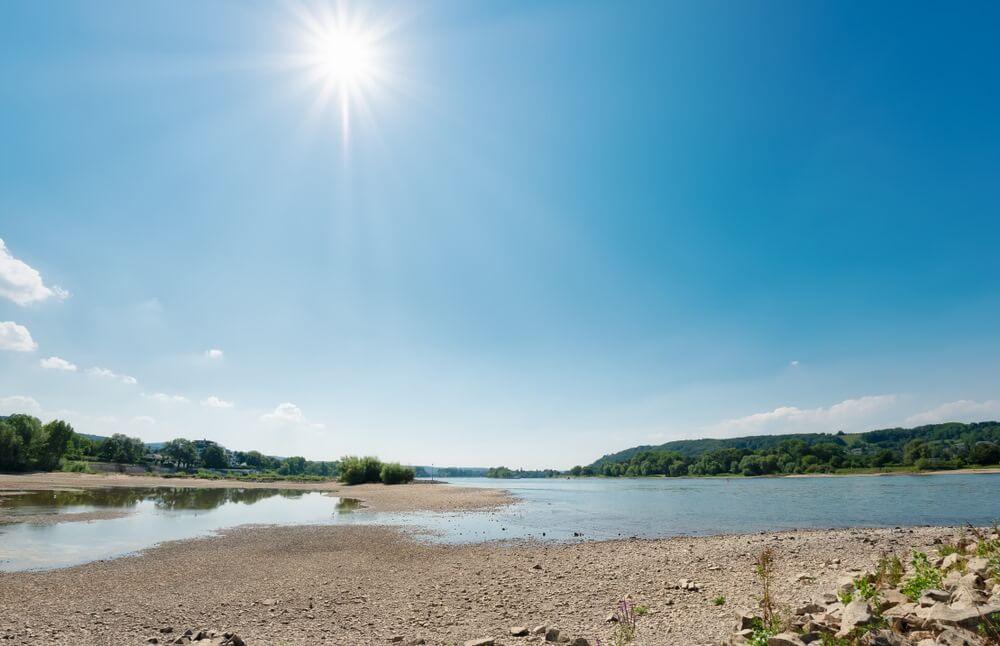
<point>546,230</point>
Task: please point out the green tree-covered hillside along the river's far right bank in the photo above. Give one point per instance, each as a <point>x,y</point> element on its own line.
<point>938,446</point>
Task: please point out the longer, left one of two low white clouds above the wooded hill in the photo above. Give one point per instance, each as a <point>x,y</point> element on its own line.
<point>850,414</point>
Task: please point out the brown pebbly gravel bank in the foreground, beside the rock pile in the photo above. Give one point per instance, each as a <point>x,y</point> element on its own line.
<point>367,585</point>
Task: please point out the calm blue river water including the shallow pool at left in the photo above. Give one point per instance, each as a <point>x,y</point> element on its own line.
<point>554,509</point>
